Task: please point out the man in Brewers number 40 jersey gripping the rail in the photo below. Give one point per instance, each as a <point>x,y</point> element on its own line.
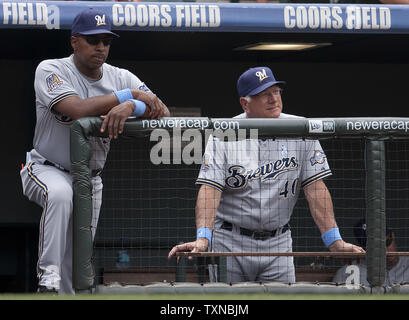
<point>245,201</point>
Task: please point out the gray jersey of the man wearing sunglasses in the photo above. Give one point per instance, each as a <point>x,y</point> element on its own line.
<point>58,79</point>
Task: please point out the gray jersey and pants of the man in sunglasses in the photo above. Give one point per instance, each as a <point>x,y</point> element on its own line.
<point>49,162</point>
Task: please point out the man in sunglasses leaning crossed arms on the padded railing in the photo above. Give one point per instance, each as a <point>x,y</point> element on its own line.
<point>67,89</point>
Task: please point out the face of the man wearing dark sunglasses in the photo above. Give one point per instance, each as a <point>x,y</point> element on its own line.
<point>92,50</point>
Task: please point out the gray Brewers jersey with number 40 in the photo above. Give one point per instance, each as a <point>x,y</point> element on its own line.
<point>261,179</point>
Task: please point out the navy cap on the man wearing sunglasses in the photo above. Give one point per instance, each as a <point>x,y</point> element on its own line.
<point>91,21</point>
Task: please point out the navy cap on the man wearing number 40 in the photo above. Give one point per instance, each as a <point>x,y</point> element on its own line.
<point>255,80</point>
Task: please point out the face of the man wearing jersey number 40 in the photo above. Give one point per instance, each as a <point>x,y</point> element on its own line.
<point>266,104</point>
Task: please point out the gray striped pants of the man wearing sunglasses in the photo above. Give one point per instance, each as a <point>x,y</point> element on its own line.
<point>51,188</point>
